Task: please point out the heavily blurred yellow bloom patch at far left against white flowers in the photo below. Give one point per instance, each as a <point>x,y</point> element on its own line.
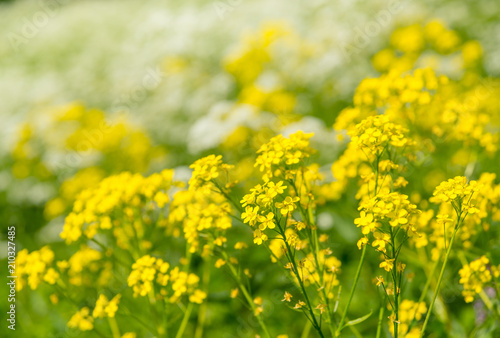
<point>81,134</point>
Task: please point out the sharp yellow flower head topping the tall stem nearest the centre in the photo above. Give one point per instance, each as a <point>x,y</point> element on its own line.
<point>280,156</point>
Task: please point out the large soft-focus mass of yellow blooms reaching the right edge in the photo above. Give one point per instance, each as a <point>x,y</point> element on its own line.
<point>434,109</point>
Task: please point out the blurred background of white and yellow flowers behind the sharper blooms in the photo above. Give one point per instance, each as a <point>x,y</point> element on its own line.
<point>93,88</point>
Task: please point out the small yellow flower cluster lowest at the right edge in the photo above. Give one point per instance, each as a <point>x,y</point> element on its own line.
<point>476,275</point>
